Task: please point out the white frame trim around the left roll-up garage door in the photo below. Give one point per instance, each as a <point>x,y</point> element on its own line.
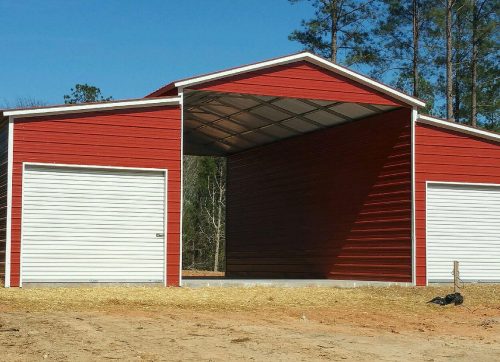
<point>118,168</point>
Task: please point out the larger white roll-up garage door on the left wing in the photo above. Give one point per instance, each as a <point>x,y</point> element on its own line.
<point>92,225</point>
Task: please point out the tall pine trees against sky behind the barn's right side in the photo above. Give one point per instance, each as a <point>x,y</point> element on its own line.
<point>443,51</point>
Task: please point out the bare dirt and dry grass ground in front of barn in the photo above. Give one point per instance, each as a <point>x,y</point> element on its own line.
<point>233,324</point>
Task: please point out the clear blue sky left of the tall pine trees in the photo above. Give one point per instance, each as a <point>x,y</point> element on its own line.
<point>129,48</point>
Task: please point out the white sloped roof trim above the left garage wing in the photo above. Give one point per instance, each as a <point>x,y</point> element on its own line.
<point>76,108</point>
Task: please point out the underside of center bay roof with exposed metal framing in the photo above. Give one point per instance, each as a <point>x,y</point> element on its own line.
<point>219,124</point>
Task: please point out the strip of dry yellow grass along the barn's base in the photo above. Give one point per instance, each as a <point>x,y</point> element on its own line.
<point>402,300</point>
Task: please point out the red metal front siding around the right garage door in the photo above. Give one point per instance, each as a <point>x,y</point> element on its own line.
<point>448,156</point>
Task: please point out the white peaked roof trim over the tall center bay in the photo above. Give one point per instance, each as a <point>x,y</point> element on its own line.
<point>309,57</point>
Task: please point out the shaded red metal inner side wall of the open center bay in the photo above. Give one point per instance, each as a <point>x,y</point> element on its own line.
<point>331,204</point>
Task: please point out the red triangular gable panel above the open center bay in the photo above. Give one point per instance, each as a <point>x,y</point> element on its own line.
<point>299,80</point>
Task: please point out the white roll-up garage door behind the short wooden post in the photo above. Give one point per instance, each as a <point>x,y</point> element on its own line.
<point>463,224</point>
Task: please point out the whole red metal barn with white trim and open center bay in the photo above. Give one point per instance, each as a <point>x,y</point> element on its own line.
<point>331,175</point>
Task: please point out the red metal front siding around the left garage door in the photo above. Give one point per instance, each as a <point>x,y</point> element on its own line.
<point>143,138</point>
